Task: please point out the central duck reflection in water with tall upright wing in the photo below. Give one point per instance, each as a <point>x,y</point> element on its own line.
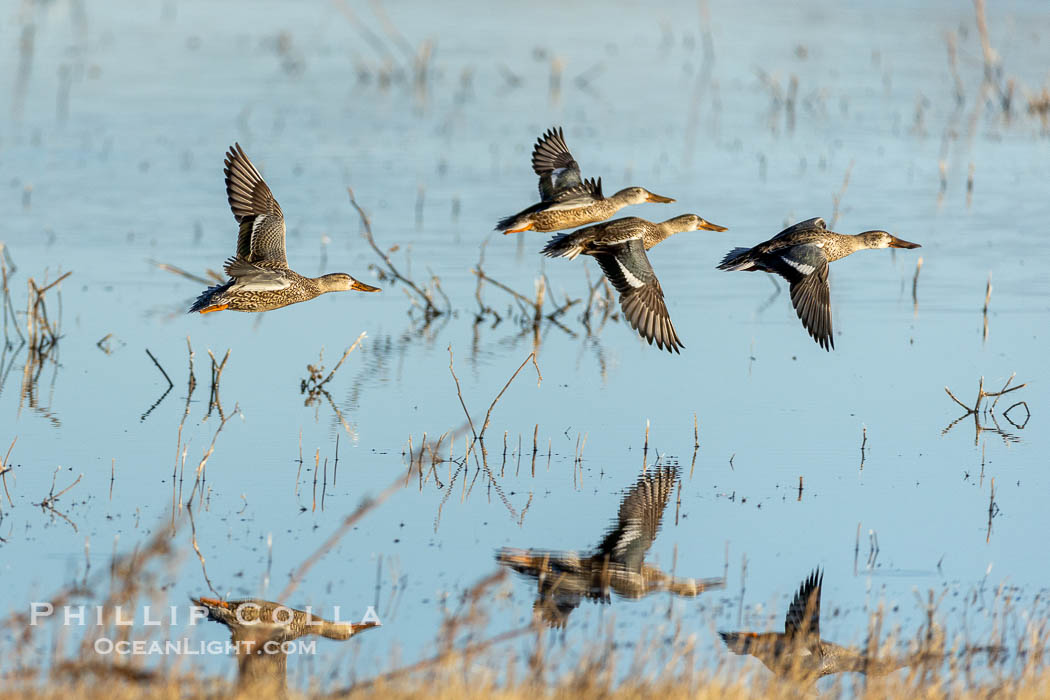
<point>617,566</point>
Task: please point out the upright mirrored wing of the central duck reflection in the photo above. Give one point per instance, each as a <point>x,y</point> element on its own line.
<point>639,520</point>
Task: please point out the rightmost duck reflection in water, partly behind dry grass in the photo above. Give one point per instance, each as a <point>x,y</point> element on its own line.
<point>800,654</point>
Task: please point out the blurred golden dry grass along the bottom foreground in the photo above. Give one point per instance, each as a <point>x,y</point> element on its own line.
<point>56,662</point>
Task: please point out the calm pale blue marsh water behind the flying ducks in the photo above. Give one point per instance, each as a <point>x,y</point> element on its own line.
<point>112,157</point>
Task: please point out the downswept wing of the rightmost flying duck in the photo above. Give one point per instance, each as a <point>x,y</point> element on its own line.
<point>806,269</point>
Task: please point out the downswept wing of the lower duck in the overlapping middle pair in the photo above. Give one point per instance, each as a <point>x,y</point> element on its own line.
<point>641,296</point>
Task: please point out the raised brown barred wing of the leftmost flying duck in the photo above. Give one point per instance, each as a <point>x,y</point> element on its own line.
<point>262,236</point>
